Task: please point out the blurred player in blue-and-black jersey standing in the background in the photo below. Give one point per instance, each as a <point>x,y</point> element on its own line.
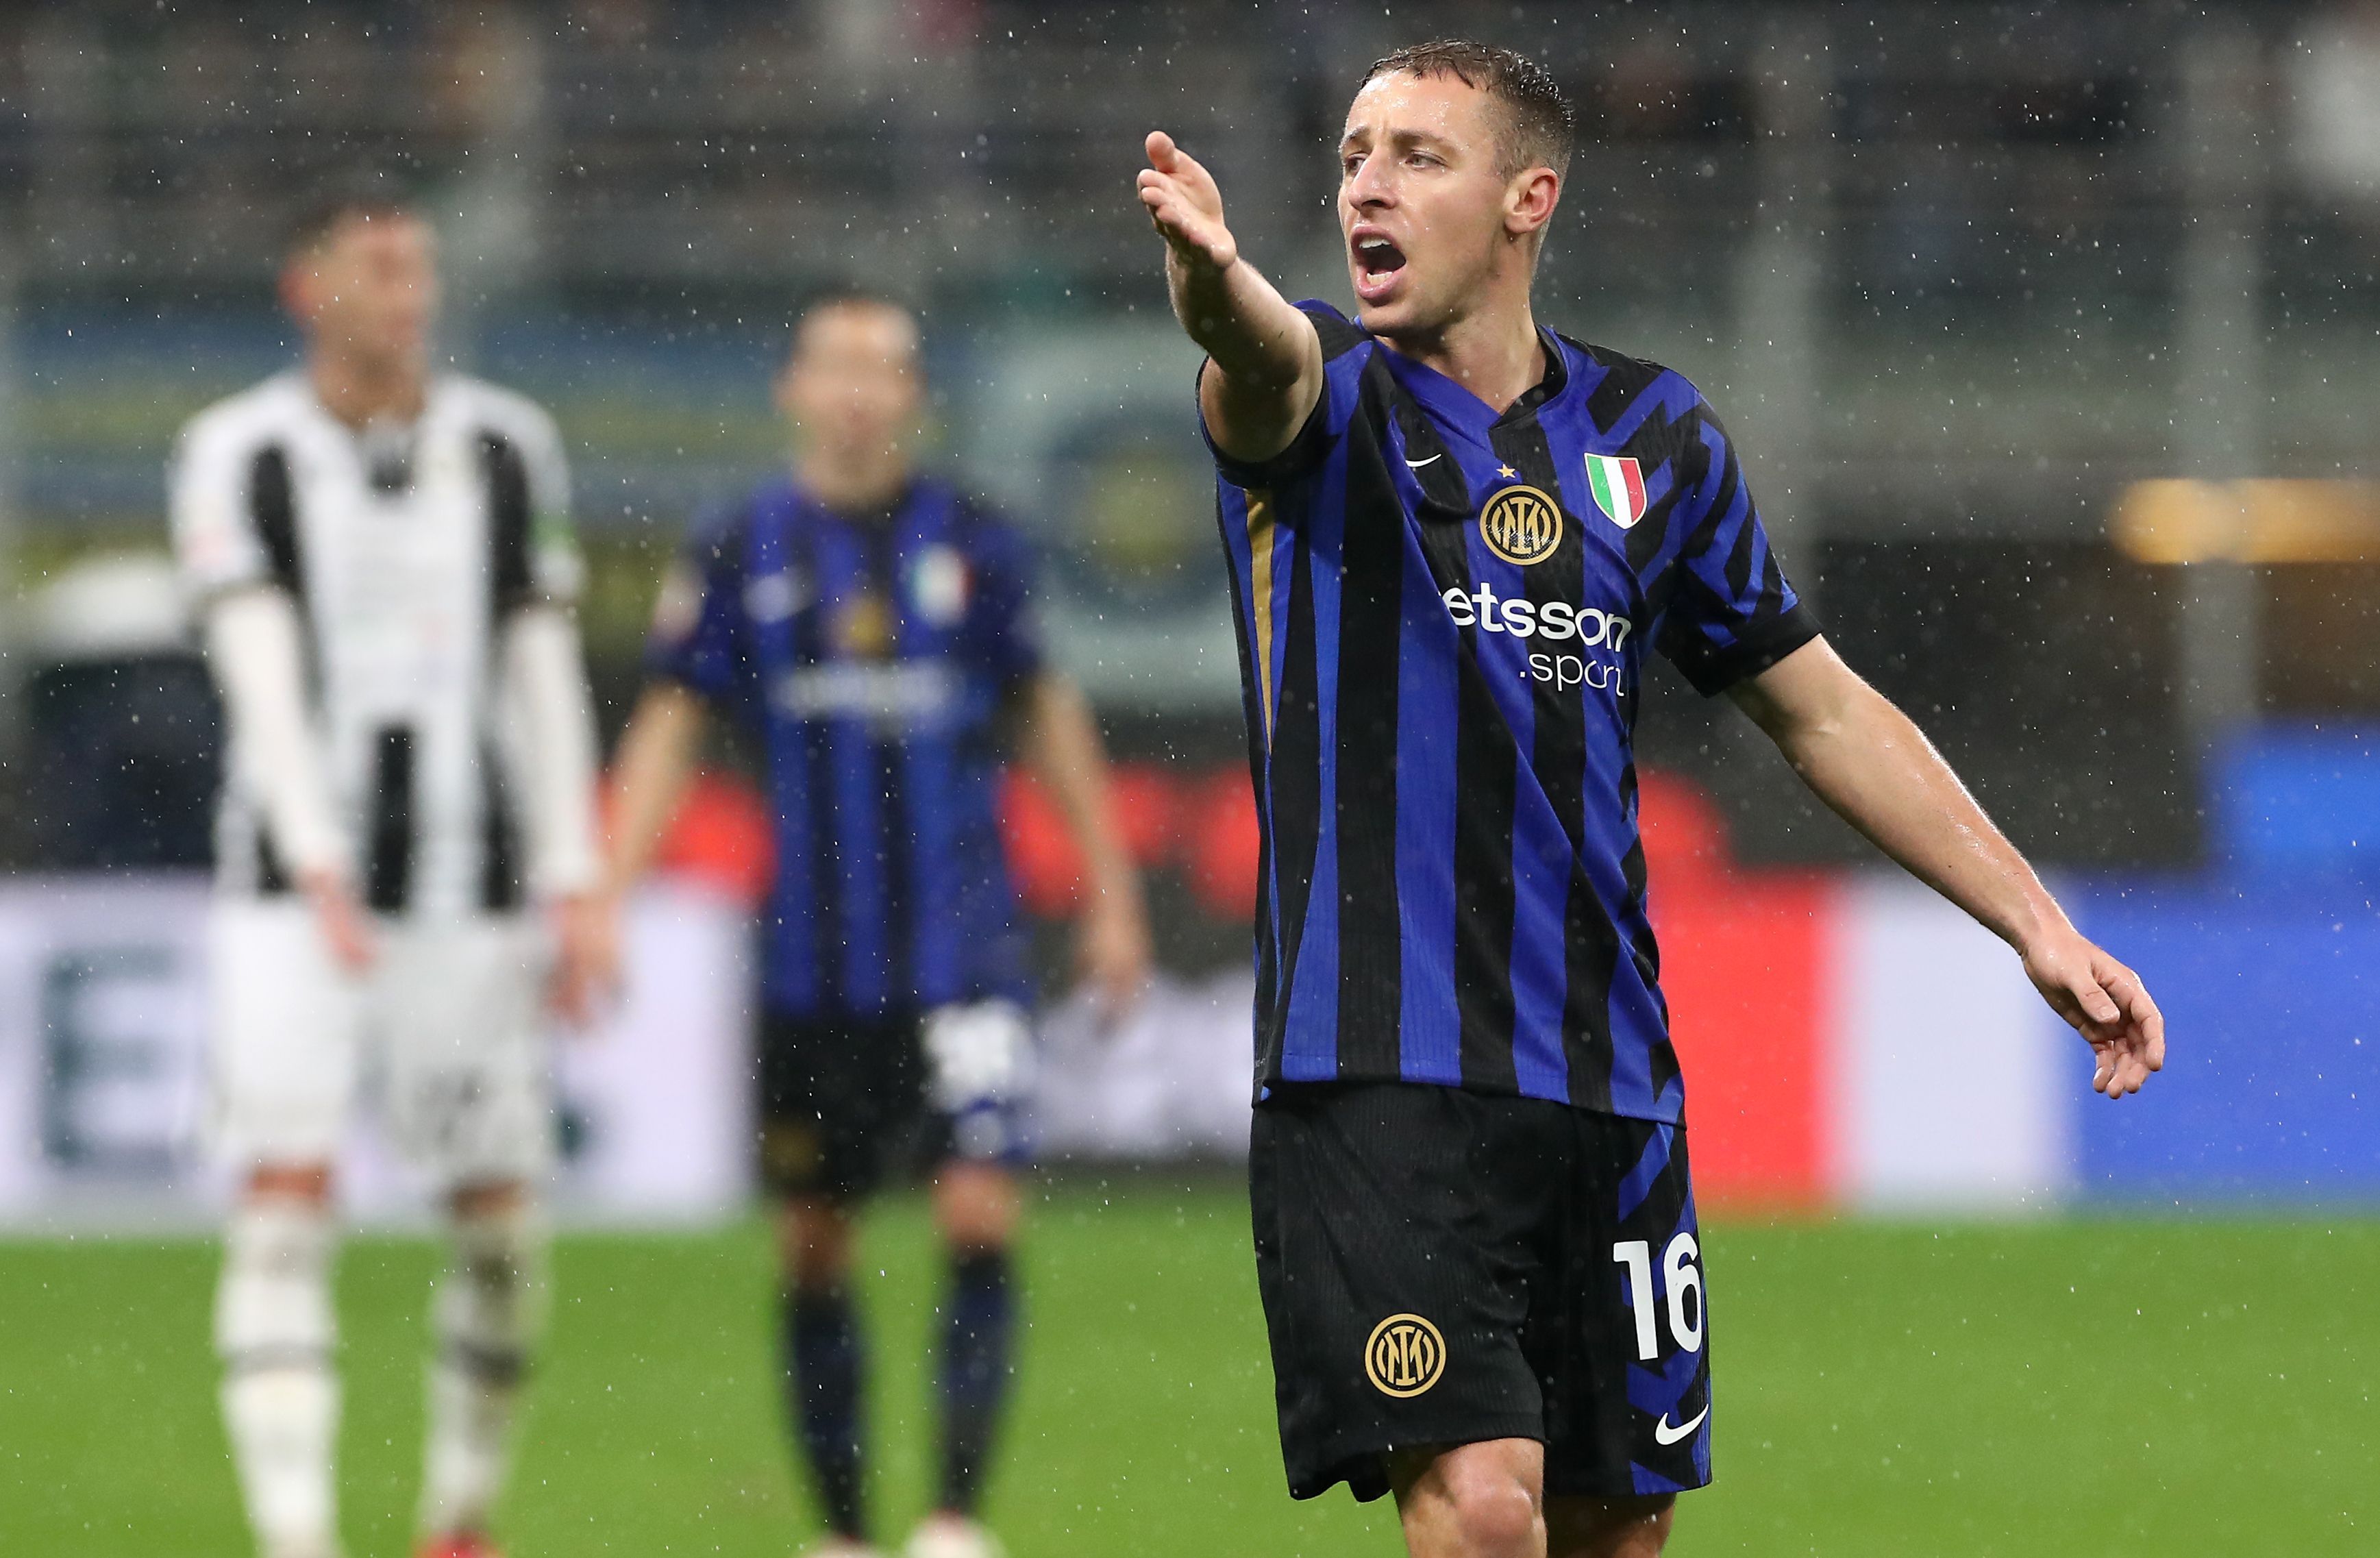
<point>872,629</point>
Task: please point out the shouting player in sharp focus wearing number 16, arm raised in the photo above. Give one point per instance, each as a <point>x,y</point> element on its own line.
<point>1451,539</point>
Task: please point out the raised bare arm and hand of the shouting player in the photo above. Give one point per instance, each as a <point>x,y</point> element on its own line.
<point>1267,363</point>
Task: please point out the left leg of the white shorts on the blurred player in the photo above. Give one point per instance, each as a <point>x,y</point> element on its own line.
<point>284,1026</point>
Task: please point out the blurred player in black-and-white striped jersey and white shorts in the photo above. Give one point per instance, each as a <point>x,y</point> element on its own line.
<point>384,567</point>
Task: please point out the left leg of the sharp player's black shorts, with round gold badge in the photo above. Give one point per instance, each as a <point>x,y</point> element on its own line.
<point>1393,1288</point>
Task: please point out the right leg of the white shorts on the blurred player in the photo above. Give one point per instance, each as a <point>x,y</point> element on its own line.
<point>470,1093</point>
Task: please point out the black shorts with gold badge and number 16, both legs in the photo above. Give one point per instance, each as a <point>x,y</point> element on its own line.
<point>1446,1269</point>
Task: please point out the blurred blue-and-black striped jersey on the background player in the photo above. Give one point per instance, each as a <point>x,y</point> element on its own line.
<point>870,658</point>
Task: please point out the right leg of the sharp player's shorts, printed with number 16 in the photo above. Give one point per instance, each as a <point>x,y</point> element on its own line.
<point>1624,1336</point>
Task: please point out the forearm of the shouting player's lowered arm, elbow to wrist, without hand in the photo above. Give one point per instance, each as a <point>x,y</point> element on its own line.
<point>1877,769</point>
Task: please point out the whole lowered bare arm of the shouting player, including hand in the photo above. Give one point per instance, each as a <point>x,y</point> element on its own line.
<point>1879,772</point>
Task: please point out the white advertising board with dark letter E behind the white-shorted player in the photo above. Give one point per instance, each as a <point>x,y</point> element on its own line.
<point>104,1010</point>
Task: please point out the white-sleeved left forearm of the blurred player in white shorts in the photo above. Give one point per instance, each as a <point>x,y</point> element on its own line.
<point>258,662</point>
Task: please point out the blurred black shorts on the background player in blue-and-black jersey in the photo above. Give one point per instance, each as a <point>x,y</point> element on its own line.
<point>848,1105</point>
